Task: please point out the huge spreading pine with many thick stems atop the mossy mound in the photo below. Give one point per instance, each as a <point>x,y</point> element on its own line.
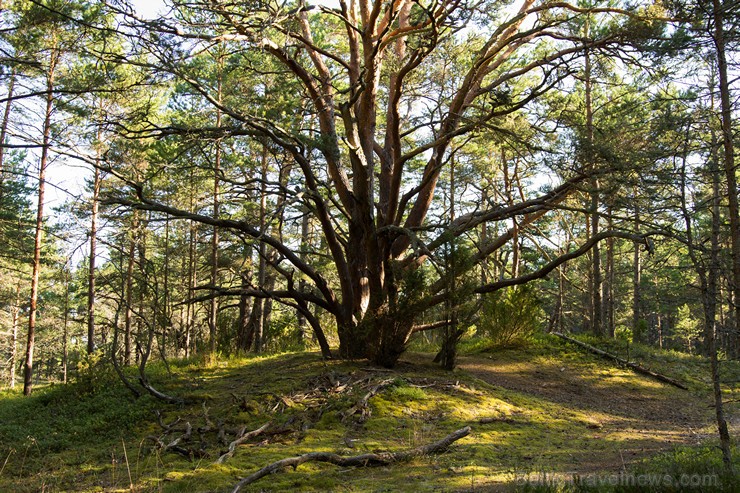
<point>365,106</point>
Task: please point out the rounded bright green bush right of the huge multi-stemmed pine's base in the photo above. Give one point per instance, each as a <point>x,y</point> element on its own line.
<point>509,317</point>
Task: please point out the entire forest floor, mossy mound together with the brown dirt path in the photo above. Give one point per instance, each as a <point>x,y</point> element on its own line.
<point>539,415</point>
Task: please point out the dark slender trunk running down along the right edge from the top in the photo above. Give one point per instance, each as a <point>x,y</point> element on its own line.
<point>729,161</point>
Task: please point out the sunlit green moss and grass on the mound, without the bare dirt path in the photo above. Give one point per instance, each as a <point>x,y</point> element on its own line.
<point>67,439</point>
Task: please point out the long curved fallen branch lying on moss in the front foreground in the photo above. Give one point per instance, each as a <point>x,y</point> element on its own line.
<point>364,460</point>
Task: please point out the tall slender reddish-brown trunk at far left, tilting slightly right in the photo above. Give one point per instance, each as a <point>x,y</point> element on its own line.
<point>38,238</point>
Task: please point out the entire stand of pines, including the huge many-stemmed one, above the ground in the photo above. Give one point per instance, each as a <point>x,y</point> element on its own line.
<point>363,177</point>
